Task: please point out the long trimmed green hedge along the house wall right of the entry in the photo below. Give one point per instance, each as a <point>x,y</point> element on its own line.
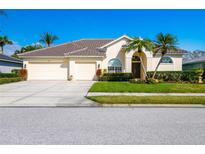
<point>175,76</point>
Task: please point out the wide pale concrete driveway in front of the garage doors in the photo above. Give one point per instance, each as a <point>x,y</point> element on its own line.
<point>45,93</point>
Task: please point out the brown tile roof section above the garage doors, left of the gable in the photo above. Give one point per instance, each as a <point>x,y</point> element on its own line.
<point>83,47</point>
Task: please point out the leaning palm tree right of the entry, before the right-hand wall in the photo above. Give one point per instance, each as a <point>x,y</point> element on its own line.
<point>163,44</point>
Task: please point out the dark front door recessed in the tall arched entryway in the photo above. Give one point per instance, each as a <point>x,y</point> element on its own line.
<point>136,66</point>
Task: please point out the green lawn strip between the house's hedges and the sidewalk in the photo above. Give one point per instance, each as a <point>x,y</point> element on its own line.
<point>147,88</point>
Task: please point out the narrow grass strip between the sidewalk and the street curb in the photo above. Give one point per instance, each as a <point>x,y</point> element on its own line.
<point>148,99</point>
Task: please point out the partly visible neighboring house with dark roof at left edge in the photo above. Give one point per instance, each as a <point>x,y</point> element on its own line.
<point>7,64</point>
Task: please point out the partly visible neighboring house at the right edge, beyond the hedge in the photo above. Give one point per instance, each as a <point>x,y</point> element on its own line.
<point>194,63</point>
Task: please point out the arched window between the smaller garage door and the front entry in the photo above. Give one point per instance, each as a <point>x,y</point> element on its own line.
<point>114,66</point>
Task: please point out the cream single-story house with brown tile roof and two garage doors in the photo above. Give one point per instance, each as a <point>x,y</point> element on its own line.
<point>80,59</point>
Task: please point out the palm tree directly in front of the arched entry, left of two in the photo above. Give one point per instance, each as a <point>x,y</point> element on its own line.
<point>139,44</point>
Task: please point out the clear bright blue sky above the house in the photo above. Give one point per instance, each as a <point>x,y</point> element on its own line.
<point>24,27</point>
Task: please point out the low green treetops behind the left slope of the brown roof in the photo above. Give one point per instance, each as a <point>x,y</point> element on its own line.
<point>27,49</point>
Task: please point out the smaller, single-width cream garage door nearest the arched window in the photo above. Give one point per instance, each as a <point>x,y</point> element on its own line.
<point>85,71</point>
